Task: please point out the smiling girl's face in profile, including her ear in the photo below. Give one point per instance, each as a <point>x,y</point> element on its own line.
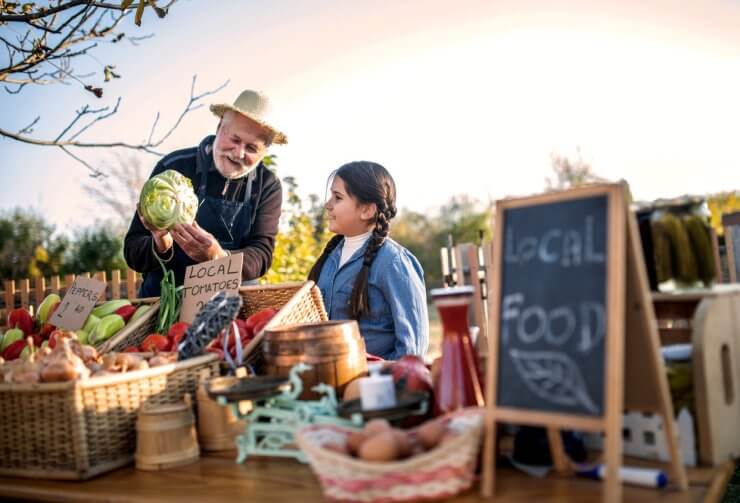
<point>347,216</point>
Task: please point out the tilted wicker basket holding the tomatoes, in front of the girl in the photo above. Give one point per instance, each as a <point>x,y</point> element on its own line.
<point>297,303</point>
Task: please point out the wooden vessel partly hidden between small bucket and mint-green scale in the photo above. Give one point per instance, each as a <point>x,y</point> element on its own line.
<point>217,425</point>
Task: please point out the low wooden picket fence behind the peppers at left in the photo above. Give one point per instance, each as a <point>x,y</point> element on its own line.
<point>29,293</point>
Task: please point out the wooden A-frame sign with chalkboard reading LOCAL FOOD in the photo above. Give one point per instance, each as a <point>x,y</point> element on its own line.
<point>561,267</point>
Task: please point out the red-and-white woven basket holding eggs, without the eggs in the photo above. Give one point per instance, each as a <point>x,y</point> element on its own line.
<point>436,474</point>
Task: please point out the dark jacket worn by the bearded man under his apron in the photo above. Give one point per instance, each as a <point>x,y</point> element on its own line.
<point>257,245</point>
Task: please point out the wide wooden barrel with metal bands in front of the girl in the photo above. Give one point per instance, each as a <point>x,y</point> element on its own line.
<point>335,350</point>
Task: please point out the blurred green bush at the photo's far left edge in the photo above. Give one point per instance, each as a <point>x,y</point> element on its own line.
<point>27,245</point>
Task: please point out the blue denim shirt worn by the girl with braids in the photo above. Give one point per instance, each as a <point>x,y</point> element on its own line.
<point>398,323</point>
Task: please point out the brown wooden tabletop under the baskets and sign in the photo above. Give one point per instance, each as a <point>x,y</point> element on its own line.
<point>216,477</point>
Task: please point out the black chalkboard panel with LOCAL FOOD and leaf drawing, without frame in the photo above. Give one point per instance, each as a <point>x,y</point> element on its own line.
<point>552,309</point>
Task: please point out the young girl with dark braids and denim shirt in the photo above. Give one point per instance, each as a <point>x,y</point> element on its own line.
<point>363,274</point>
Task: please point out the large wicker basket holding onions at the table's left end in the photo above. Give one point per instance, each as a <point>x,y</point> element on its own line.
<point>76,430</point>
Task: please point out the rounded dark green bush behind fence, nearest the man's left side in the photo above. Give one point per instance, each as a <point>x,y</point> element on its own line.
<point>95,249</point>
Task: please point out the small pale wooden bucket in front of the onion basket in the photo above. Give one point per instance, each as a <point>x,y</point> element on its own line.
<point>165,436</point>
